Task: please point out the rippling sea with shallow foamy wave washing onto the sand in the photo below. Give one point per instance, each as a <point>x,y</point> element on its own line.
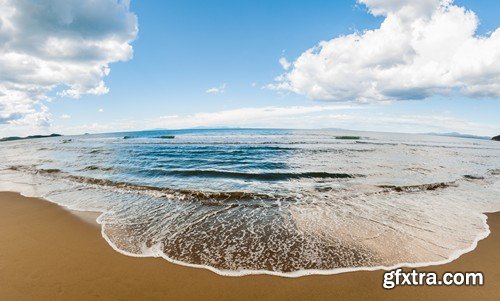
<point>269,201</point>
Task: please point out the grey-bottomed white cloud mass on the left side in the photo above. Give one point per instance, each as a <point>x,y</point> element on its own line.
<point>63,44</point>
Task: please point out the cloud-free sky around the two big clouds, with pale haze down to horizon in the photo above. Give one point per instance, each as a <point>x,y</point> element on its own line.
<point>184,48</point>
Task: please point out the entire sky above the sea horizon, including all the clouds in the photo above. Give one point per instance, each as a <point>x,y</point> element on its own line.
<point>77,66</point>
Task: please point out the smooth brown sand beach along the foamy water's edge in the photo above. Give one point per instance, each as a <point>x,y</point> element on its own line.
<point>48,253</point>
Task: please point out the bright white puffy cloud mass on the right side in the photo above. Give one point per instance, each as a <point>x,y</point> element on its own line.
<point>422,48</point>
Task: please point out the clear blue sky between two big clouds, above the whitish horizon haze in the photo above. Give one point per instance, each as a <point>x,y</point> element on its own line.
<point>187,47</point>
